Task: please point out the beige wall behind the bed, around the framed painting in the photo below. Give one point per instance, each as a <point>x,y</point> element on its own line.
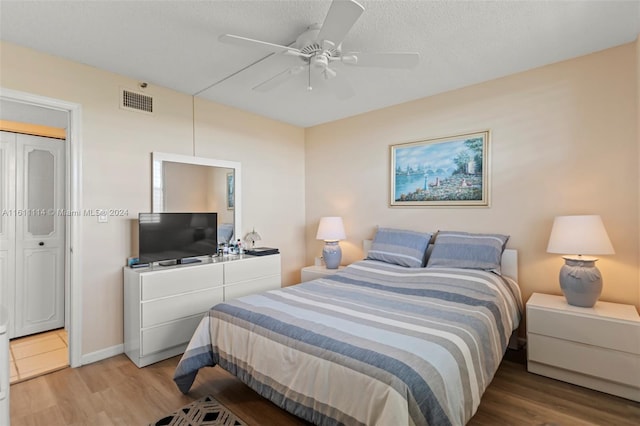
<point>563,141</point>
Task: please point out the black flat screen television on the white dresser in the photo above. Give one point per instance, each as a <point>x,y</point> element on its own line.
<point>177,236</point>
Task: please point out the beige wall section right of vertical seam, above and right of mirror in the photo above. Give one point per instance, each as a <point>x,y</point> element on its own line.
<point>272,157</point>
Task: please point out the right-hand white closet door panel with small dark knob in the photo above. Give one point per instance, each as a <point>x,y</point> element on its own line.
<point>40,235</point>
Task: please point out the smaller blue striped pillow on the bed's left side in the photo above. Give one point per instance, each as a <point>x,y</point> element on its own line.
<point>400,247</point>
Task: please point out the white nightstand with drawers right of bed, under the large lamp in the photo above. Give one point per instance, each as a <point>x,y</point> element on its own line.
<point>598,348</point>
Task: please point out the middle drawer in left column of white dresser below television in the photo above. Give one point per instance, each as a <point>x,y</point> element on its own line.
<point>169,309</point>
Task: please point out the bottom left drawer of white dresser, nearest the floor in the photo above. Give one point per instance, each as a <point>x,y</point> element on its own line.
<point>163,337</point>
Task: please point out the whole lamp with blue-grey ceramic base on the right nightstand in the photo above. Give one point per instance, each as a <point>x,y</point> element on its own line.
<point>580,279</point>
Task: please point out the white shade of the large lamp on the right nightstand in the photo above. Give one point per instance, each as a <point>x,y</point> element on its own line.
<point>583,234</point>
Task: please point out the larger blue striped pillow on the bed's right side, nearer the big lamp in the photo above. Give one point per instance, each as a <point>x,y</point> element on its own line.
<point>467,250</point>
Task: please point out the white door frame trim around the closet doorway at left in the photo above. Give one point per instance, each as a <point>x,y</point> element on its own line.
<point>72,245</point>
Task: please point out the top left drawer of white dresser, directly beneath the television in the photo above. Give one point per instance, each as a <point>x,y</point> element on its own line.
<point>180,280</point>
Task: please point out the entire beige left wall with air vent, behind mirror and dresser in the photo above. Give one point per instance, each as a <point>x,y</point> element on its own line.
<point>116,157</point>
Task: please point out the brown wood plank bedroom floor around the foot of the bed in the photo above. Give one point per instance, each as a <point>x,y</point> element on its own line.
<point>115,392</point>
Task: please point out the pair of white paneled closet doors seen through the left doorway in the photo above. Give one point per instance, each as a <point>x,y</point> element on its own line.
<point>34,267</point>
